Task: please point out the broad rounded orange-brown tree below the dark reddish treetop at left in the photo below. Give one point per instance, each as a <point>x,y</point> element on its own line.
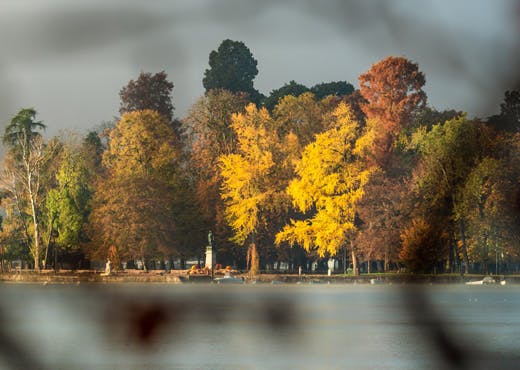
<point>132,206</point>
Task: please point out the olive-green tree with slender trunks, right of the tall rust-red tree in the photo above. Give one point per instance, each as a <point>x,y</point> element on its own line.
<point>448,153</point>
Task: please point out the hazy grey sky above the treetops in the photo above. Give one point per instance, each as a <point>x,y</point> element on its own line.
<point>69,59</point>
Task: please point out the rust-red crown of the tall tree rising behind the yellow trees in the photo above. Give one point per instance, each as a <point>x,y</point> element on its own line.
<point>392,89</point>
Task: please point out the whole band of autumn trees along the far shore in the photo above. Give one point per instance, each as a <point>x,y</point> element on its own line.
<point>372,175</point>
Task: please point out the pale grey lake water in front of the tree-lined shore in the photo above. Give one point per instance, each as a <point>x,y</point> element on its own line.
<point>259,327</point>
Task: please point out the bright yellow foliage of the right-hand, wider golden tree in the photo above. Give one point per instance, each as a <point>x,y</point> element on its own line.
<point>331,177</point>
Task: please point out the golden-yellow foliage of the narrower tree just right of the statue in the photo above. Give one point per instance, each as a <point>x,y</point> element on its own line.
<point>254,179</point>
